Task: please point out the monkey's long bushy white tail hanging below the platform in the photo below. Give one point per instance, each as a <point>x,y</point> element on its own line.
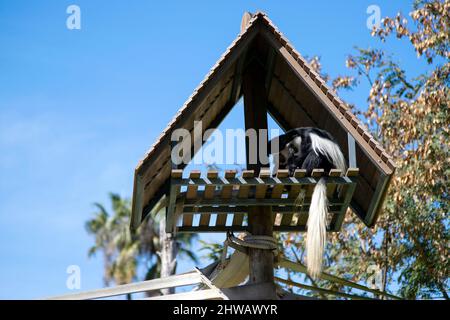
<point>316,229</point>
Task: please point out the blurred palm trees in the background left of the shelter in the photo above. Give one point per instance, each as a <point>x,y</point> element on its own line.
<point>124,252</point>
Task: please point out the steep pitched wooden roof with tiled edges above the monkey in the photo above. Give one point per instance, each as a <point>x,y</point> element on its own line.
<point>298,97</point>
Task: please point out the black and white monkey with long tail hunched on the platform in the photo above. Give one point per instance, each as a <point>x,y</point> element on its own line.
<point>310,148</point>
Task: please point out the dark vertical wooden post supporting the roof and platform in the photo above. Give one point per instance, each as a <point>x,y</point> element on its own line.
<point>260,220</point>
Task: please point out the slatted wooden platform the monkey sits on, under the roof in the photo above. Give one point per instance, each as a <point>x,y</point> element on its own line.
<point>215,203</point>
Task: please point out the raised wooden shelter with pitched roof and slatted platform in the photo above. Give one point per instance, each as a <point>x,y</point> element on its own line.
<point>262,67</point>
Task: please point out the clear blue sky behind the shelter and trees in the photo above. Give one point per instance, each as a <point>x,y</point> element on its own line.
<point>79,108</point>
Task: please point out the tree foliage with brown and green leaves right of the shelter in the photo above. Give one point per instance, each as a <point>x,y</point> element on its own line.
<point>410,117</point>
